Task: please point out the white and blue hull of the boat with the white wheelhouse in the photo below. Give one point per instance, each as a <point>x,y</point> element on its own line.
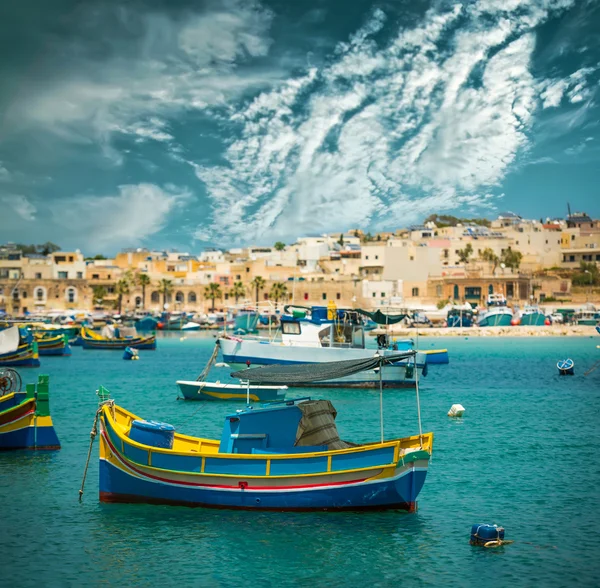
<point>241,353</point>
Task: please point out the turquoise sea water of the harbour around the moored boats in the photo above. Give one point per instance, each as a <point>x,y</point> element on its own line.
<point>526,455</point>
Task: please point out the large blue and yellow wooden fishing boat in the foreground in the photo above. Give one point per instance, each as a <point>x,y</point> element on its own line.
<point>283,456</point>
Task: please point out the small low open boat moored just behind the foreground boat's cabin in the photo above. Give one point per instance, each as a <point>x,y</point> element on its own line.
<point>194,390</point>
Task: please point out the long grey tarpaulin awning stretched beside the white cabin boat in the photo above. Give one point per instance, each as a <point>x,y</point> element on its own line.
<point>315,372</point>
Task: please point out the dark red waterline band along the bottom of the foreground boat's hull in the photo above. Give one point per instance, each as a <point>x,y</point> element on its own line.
<point>132,499</point>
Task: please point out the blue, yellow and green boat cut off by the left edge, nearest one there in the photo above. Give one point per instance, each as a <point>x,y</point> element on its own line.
<point>25,421</point>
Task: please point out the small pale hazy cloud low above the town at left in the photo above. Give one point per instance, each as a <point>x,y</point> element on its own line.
<point>126,218</point>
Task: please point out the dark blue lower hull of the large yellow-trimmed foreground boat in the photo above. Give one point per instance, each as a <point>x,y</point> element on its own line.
<point>118,486</point>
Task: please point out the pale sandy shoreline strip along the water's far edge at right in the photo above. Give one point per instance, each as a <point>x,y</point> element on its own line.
<point>512,331</point>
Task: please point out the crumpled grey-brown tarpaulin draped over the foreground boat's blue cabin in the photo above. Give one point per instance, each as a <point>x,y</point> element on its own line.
<point>317,425</point>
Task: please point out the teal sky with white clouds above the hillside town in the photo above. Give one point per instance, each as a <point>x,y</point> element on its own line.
<point>188,124</point>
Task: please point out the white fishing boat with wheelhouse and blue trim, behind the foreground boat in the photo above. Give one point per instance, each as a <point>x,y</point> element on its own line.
<point>323,334</point>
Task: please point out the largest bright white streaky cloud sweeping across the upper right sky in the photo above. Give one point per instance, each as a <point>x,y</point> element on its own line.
<point>430,121</point>
